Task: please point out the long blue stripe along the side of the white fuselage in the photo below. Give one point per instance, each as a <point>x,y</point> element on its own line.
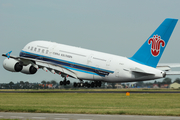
<point>70,65</point>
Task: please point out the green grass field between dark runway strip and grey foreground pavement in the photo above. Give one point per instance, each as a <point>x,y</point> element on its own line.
<point>92,103</point>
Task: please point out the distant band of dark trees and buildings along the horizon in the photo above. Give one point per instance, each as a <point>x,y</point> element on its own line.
<point>54,84</point>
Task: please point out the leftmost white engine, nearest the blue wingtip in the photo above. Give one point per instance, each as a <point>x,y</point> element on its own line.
<point>12,65</point>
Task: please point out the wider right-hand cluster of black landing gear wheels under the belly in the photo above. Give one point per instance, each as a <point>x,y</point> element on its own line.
<point>88,84</point>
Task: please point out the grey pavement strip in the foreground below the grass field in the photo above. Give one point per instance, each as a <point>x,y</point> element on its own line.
<point>55,116</point>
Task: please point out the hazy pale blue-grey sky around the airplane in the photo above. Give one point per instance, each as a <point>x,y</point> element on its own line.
<point>117,27</point>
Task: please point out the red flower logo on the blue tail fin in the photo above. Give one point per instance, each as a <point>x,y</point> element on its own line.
<point>156,42</point>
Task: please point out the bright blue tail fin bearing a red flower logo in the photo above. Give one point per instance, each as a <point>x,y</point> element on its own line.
<point>151,51</point>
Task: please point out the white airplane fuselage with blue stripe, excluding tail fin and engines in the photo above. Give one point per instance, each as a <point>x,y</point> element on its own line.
<point>82,62</point>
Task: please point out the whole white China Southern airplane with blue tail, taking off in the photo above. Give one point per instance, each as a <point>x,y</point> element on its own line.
<point>84,64</point>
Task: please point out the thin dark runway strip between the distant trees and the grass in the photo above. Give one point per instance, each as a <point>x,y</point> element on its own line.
<point>74,91</point>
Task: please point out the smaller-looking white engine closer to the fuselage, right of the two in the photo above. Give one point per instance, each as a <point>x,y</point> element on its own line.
<point>29,69</point>
